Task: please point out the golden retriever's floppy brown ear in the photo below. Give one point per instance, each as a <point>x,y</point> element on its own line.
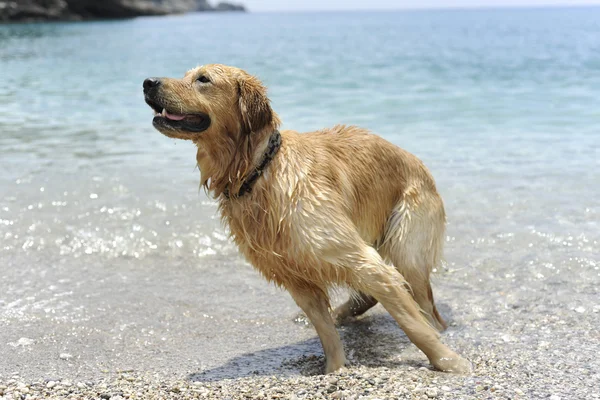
<point>255,110</point>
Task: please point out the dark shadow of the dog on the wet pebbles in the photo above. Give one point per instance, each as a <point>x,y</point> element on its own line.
<point>374,340</point>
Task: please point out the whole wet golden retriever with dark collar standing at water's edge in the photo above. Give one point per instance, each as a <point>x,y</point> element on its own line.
<point>335,207</point>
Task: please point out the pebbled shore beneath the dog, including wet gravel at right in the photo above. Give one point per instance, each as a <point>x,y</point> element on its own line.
<point>539,357</point>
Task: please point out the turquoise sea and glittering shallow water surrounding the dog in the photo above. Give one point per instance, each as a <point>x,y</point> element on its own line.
<point>108,247</point>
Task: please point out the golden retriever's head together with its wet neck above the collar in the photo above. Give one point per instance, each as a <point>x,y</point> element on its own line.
<point>222,109</point>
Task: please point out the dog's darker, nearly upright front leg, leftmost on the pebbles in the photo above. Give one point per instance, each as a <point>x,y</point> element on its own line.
<point>315,304</point>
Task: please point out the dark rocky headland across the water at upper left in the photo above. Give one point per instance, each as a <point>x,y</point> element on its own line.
<point>53,10</point>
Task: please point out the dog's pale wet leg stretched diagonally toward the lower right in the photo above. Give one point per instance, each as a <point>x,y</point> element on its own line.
<point>368,273</point>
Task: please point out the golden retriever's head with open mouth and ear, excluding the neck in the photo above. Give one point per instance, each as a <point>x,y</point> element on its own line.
<point>209,100</point>
